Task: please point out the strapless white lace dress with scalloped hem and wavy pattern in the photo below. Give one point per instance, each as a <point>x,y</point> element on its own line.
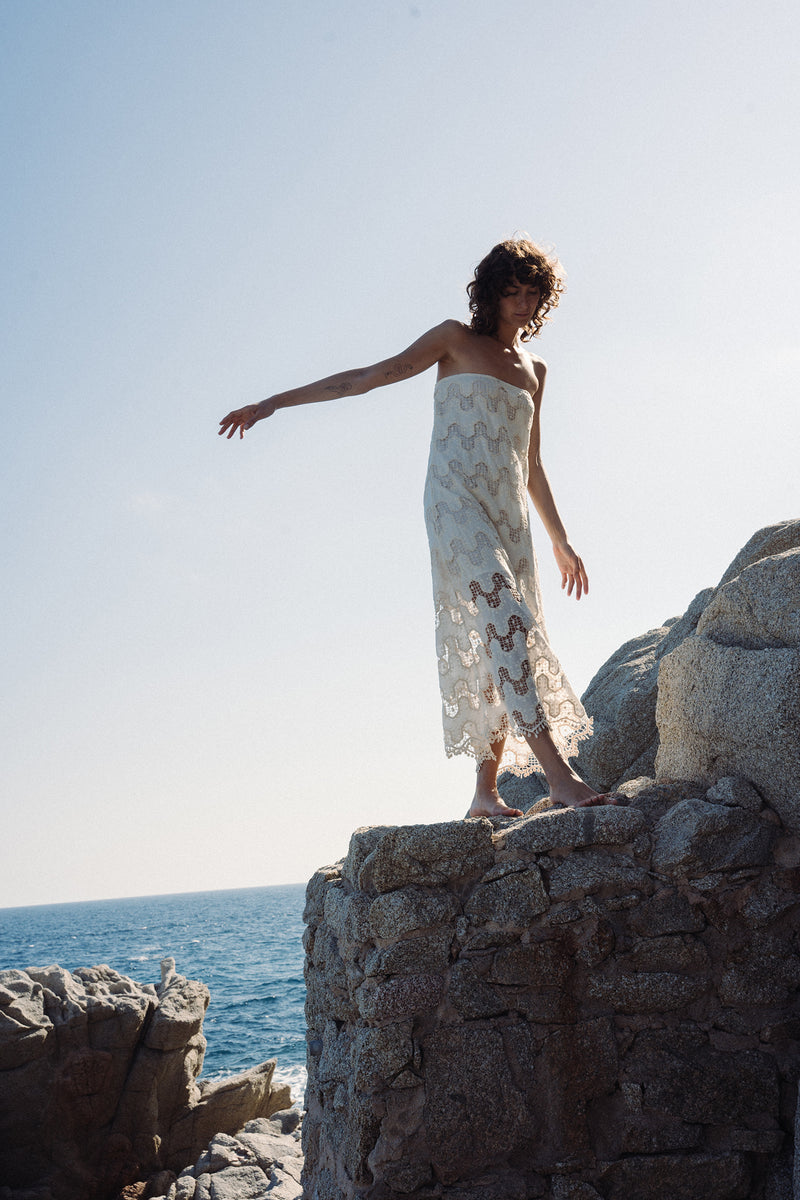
<point>498,674</point>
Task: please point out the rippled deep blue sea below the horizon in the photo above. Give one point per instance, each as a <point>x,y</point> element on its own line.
<point>245,945</point>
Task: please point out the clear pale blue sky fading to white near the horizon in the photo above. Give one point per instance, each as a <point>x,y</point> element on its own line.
<point>219,657</point>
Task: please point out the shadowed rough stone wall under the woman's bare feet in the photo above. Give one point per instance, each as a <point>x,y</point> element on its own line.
<point>580,1004</point>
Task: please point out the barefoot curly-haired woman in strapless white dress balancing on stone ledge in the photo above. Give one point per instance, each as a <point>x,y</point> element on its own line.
<point>506,699</point>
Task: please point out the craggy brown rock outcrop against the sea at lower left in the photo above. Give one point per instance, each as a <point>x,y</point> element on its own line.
<point>99,1081</point>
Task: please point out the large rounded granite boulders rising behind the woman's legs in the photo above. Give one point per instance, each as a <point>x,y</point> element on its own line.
<point>730,661</point>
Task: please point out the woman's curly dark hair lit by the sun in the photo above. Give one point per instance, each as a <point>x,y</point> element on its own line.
<point>518,261</point>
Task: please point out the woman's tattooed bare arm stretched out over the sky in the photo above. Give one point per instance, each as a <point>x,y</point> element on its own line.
<point>419,357</point>
